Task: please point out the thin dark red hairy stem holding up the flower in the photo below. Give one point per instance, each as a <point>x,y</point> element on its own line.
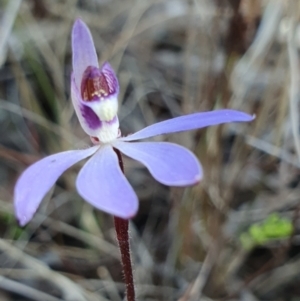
<point>121,226</point>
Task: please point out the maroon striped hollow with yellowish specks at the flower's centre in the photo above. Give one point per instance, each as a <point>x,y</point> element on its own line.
<point>94,85</point>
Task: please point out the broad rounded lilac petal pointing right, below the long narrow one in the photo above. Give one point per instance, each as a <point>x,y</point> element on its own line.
<point>169,163</point>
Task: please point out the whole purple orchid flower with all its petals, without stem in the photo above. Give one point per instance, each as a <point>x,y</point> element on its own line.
<point>101,181</point>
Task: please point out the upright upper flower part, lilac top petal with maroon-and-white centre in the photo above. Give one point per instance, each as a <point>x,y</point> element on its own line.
<point>94,89</point>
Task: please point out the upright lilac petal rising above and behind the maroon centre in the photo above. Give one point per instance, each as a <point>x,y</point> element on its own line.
<point>83,49</point>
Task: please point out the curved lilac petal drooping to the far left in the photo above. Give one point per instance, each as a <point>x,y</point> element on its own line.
<point>38,178</point>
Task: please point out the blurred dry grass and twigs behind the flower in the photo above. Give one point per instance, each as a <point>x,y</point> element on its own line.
<point>235,235</point>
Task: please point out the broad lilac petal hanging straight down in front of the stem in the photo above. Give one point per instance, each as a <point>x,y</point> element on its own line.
<point>102,184</point>
